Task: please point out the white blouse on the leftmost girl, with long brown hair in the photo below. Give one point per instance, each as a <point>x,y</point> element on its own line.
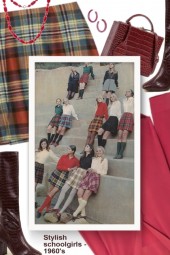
<point>42,156</point>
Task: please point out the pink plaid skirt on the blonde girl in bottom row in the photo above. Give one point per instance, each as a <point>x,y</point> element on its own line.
<point>91,182</point>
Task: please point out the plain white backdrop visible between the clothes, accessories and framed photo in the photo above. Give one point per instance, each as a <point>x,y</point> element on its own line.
<point>109,10</point>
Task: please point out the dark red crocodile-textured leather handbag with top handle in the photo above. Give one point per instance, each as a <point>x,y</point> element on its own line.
<point>127,40</point>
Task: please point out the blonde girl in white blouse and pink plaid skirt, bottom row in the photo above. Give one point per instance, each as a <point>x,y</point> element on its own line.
<point>91,181</point>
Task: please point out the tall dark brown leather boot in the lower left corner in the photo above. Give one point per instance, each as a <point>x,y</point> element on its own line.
<point>11,234</point>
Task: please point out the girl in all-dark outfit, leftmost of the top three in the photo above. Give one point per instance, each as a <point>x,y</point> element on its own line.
<point>73,83</point>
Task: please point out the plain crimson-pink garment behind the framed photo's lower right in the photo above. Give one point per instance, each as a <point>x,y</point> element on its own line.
<point>154,237</point>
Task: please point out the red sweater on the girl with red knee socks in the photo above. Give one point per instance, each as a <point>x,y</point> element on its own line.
<point>65,162</point>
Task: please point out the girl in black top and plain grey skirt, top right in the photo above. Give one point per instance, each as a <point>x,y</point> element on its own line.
<point>110,82</point>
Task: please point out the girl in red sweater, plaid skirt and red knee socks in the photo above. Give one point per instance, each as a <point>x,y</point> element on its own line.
<point>59,176</point>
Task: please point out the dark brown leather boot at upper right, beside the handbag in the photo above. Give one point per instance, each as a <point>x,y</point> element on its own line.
<point>161,81</point>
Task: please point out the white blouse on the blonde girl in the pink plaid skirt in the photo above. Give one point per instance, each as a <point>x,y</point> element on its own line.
<point>100,166</point>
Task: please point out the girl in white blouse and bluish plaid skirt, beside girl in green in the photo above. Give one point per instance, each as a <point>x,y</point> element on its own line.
<point>65,121</point>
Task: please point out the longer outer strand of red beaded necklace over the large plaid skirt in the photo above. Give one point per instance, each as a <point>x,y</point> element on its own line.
<point>15,35</point>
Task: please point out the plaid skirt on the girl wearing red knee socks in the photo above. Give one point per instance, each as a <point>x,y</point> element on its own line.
<point>58,178</point>
